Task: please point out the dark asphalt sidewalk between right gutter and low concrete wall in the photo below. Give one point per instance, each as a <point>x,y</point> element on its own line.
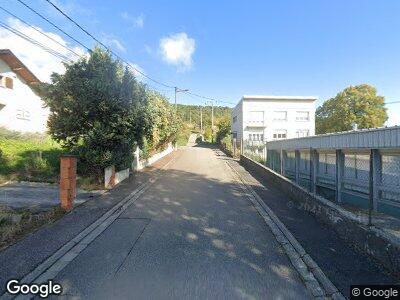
<point>340,263</point>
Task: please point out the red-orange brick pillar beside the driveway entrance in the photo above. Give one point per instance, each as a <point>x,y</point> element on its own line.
<point>67,181</point>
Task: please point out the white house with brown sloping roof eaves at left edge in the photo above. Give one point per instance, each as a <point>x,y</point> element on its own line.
<point>21,109</point>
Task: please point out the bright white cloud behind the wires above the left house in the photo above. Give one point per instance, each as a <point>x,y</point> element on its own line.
<point>40,62</point>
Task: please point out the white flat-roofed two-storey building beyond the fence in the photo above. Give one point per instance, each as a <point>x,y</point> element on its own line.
<point>266,118</point>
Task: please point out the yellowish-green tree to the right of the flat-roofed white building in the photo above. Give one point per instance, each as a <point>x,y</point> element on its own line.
<point>355,104</point>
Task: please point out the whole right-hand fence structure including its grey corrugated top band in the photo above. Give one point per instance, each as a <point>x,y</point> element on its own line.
<point>361,168</point>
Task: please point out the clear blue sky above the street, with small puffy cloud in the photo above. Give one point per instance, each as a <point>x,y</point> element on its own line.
<point>224,49</point>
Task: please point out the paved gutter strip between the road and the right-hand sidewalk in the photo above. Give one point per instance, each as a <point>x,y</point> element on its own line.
<point>313,277</point>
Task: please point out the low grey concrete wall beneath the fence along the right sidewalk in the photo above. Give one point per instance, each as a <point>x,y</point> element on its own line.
<point>375,242</point>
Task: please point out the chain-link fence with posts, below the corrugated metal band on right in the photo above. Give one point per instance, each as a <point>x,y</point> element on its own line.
<point>343,177</point>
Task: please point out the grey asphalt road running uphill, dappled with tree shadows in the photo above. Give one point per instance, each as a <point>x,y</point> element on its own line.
<point>192,235</point>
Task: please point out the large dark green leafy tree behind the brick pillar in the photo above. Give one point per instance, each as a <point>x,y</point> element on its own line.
<point>97,111</point>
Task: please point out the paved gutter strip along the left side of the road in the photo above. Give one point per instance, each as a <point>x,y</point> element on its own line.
<point>61,258</point>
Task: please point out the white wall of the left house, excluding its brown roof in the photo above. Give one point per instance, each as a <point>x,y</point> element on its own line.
<point>20,108</point>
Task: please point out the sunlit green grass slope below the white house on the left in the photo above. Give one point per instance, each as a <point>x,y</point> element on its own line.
<point>30,157</point>
